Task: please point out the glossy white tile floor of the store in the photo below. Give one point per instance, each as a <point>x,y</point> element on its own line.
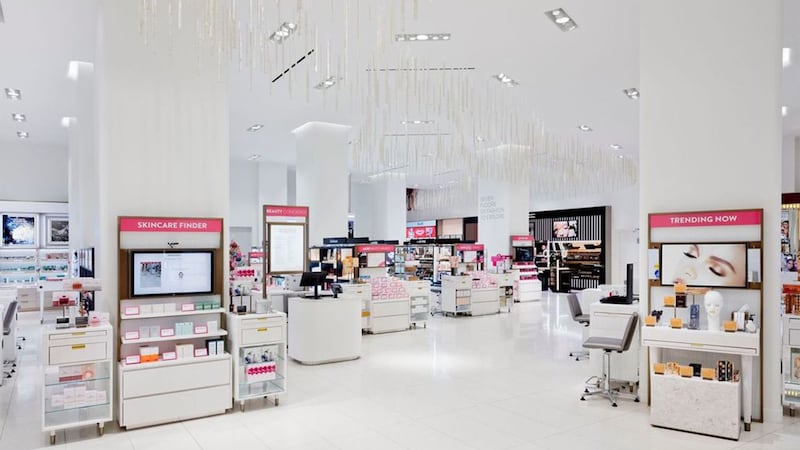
<point>495,382</point>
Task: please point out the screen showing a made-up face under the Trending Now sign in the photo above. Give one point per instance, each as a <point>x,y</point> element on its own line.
<point>704,264</point>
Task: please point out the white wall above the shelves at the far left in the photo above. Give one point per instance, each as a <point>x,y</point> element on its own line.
<point>32,172</point>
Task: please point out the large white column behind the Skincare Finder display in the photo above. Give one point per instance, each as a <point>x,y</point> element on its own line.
<point>162,120</point>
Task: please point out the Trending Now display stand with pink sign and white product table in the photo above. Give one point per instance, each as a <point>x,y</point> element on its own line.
<point>713,403</point>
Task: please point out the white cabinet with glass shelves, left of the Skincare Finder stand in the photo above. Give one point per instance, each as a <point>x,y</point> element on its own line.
<point>78,378</point>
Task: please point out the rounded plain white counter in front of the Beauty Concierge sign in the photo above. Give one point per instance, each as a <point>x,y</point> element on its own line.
<point>324,330</point>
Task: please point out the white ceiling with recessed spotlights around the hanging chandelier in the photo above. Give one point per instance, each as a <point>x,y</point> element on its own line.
<point>566,79</point>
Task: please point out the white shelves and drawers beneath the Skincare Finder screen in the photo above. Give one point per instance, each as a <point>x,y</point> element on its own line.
<point>179,382</point>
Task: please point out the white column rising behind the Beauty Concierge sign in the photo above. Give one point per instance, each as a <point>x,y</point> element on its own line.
<point>322,178</point>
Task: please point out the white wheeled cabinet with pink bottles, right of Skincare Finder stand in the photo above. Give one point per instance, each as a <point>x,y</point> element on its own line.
<point>257,343</point>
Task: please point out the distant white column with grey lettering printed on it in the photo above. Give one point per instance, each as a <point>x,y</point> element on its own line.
<point>502,211</point>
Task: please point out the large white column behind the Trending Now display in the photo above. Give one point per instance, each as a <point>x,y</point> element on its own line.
<point>710,130</point>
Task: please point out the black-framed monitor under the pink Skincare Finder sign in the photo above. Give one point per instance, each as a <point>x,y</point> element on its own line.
<point>171,272</point>
